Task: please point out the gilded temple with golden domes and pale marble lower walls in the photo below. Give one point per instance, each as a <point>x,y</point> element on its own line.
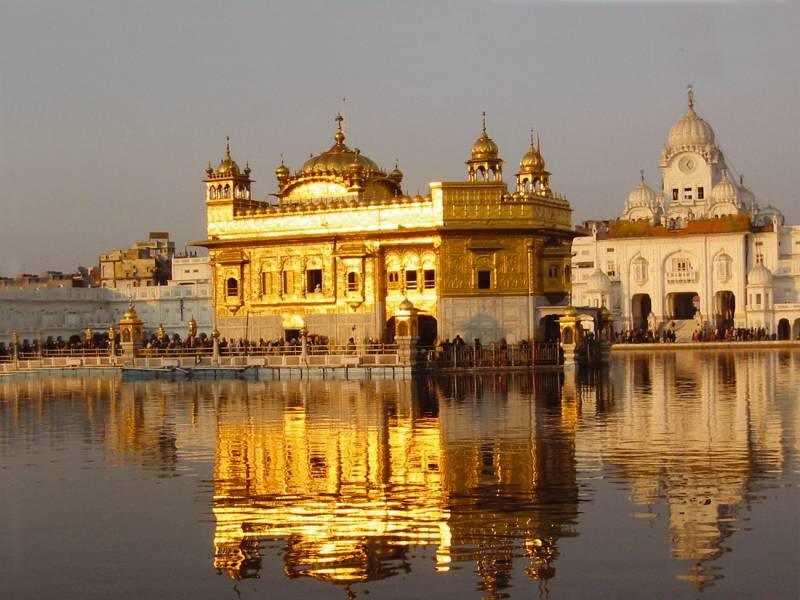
<point>340,246</point>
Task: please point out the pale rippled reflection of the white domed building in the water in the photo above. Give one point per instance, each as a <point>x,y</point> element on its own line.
<point>690,429</point>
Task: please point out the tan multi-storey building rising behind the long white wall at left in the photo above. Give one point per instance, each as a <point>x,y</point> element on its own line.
<point>143,264</point>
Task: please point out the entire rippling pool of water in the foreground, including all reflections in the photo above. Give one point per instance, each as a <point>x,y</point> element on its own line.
<point>669,475</point>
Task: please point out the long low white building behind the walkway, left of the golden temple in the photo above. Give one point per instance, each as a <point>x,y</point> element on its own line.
<point>69,311</point>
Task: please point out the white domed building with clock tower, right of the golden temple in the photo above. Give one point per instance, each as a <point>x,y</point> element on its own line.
<point>702,250</point>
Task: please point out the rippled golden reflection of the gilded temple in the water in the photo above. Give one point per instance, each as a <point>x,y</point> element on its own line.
<point>350,480</point>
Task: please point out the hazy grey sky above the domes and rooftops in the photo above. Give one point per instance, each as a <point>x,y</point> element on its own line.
<point>110,111</point>
